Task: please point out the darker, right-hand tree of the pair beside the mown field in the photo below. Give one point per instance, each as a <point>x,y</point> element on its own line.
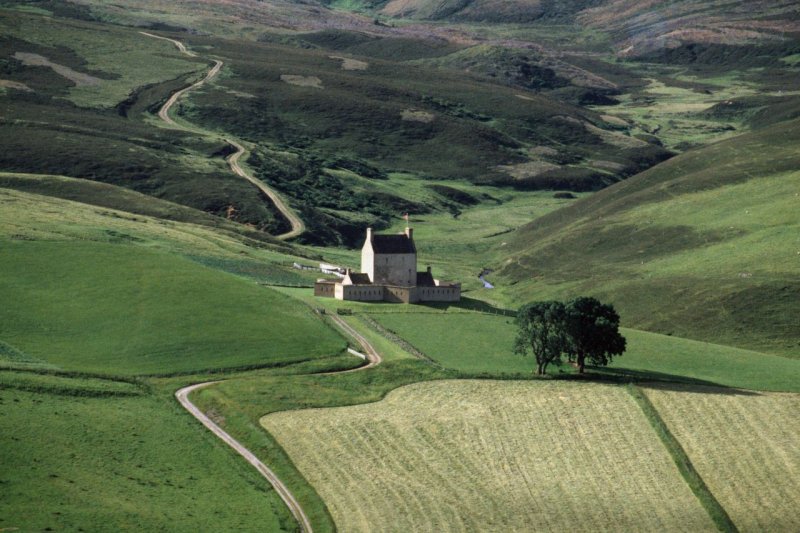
<point>592,329</point>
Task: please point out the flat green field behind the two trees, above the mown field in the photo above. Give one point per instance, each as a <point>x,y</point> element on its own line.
<point>484,344</point>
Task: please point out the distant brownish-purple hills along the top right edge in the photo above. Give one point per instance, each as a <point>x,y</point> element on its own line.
<point>636,27</point>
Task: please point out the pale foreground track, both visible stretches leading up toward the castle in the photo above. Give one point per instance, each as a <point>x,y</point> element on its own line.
<point>373,358</point>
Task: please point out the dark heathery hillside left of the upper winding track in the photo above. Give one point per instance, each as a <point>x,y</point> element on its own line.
<point>76,101</point>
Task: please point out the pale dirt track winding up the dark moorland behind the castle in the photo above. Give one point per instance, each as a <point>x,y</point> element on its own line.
<point>297,225</point>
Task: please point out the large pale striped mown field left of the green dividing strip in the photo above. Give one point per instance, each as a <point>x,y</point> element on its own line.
<point>491,456</point>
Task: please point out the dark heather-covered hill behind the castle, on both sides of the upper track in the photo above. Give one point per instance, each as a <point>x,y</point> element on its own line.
<point>328,127</point>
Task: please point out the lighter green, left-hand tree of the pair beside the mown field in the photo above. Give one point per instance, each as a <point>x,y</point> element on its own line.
<point>541,332</point>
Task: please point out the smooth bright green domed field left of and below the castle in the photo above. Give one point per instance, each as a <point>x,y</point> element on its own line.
<point>122,309</point>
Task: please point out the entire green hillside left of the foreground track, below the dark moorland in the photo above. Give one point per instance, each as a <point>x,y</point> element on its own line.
<point>96,296</point>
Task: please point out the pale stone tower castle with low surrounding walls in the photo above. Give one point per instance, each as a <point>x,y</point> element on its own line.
<point>389,273</point>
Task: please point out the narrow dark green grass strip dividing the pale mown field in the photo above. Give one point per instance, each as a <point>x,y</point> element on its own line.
<point>715,510</point>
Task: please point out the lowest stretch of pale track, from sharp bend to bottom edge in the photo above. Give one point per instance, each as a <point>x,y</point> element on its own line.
<point>288,498</point>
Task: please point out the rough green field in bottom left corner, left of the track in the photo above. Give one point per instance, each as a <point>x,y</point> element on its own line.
<point>78,455</point>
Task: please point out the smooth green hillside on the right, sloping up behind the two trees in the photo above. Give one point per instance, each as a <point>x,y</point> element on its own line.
<point>703,246</point>
